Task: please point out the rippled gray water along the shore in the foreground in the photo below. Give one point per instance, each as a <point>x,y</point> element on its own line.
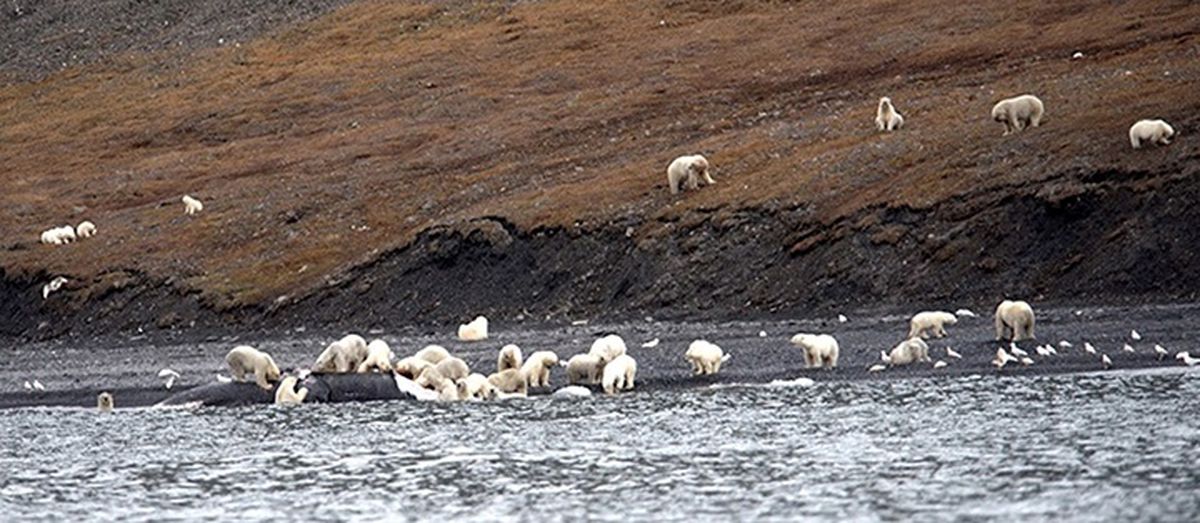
<point>1084,448</point>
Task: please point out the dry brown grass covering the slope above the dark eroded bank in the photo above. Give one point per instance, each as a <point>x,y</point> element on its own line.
<point>322,146</point>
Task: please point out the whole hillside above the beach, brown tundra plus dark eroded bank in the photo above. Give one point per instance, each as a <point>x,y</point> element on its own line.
<point>385,164</point>
